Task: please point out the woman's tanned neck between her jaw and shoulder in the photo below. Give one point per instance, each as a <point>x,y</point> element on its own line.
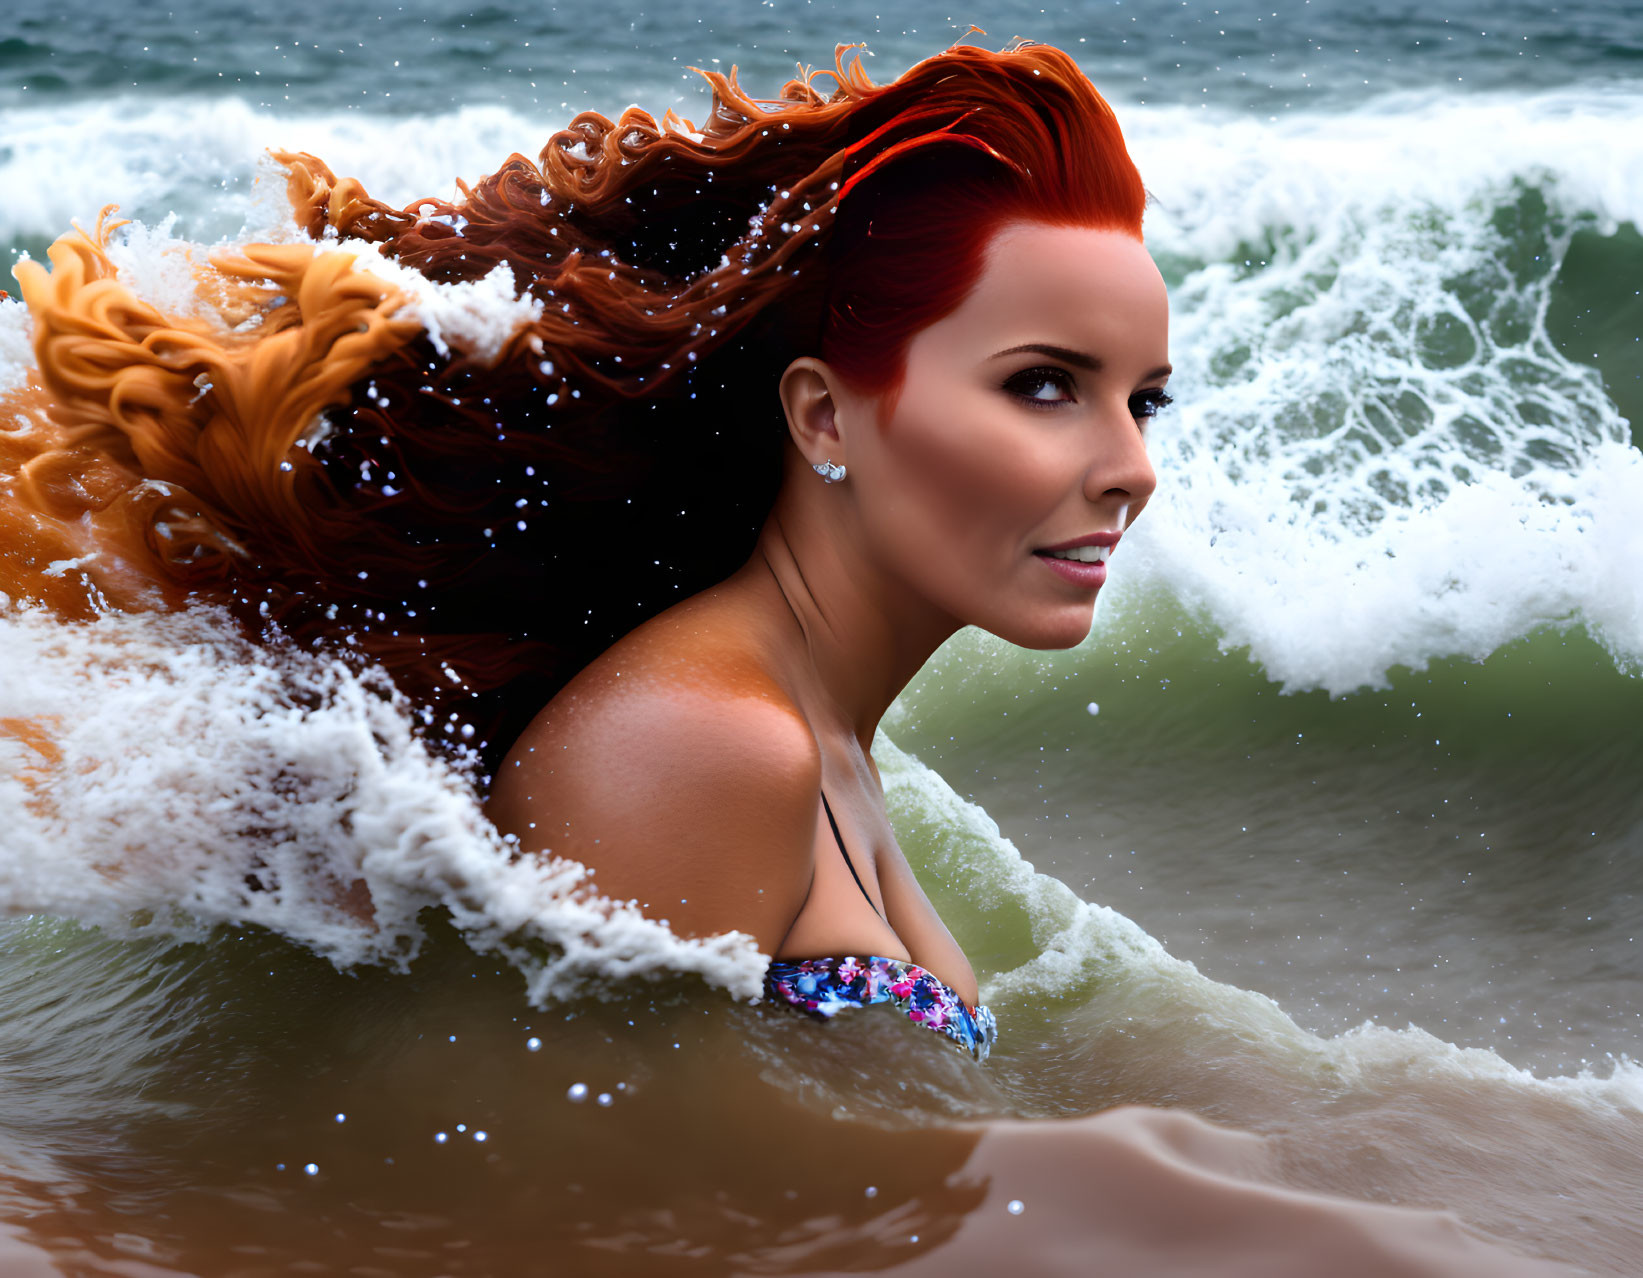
<point>863,635</point>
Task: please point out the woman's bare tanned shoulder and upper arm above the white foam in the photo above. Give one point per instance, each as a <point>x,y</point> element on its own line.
<point>681,773</point>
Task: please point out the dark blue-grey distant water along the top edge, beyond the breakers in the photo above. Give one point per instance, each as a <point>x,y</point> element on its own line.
<point>413,58</point>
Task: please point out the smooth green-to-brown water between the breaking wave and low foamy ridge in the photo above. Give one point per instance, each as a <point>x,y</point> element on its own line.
<point>1457,850</point>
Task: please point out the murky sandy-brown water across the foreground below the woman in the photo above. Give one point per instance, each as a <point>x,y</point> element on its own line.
<point>259,1113</point>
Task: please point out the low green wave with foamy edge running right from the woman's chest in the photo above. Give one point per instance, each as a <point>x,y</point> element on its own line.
<point>1074,963</point>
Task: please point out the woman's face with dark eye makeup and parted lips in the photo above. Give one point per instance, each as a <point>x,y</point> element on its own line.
<point>1016,456</point>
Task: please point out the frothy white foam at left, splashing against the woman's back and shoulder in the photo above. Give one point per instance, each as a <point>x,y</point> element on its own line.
<point>160,775</point>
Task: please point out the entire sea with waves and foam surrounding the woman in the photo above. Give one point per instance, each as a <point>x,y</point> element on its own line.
<point>1332,834</point>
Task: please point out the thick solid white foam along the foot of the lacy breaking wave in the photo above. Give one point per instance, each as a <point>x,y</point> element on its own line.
<point>1486,566</point>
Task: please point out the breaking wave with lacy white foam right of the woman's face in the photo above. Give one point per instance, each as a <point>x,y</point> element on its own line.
<point>1379,456</point>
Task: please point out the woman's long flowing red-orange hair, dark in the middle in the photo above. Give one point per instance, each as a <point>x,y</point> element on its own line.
<point>484,517</point>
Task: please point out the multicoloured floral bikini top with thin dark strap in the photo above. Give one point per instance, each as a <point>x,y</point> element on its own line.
<point>822,986</point>
